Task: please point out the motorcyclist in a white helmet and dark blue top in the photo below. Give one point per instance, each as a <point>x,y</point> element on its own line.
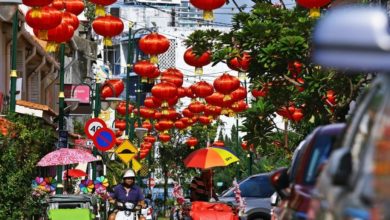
<point>127,191</point>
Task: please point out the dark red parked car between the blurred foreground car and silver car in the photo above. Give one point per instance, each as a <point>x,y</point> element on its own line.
<point>306,165</point>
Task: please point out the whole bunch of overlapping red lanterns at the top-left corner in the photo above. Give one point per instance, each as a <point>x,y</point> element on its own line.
<point>53,21</point>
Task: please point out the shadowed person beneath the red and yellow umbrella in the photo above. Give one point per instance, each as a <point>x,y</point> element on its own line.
<point>202,187</point>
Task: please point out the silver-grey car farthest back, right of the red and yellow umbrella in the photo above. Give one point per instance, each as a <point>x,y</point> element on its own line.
<point>257,191</point>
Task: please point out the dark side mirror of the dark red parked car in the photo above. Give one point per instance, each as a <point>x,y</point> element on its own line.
<point>280,181</point>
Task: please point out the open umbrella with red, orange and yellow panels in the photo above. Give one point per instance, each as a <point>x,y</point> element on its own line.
<point>209,157</point>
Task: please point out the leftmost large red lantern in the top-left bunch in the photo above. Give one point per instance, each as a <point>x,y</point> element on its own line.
<point>49,18</point>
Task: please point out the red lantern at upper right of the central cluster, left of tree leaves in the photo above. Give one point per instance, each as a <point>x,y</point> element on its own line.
<point>226,84</point>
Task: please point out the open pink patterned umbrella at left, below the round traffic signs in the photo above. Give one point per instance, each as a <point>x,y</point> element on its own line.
<point>65,156</point>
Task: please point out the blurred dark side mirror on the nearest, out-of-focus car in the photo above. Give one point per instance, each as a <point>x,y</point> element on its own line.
<point>340,167</point>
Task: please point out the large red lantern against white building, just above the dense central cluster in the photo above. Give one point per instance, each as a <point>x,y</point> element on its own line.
<point>154,44</point>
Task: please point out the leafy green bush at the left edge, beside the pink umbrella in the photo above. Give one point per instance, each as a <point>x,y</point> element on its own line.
<point>28,140</point>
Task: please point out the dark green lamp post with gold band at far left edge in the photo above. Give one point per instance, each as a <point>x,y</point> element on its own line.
<point>9,8</point>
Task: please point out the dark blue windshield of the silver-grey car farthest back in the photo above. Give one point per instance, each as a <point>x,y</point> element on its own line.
<point>256,186</point>
